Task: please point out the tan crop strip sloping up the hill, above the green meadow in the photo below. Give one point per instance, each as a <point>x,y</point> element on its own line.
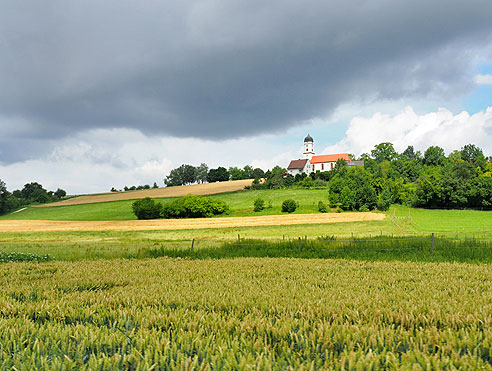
<point>179,191</point>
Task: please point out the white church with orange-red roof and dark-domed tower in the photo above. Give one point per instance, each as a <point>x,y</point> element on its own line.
<point>312,163</point>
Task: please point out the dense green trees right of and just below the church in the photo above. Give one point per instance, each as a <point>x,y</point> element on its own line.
<point>463,179</point>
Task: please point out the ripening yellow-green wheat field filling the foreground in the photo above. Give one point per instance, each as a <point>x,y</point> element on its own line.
<point>245,314</point>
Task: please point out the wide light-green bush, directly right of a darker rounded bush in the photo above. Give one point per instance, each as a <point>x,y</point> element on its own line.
<point>193,207</point>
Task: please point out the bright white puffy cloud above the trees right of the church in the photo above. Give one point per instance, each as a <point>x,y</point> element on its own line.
<point>441,128</point>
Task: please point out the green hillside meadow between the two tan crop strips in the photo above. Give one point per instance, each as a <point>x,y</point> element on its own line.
<point>240,202</point>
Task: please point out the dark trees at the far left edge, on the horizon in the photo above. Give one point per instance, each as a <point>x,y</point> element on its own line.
<point>31,193</point>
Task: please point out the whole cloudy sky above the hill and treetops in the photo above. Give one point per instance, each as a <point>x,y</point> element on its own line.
<point>97,94</point>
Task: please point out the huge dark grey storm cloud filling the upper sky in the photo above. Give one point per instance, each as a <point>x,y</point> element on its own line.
<point>221,69</point>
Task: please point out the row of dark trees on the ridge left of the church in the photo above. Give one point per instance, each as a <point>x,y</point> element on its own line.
<point>189,174</point>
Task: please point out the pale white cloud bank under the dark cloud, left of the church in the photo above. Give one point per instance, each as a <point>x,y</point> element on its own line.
<point>96,160</point>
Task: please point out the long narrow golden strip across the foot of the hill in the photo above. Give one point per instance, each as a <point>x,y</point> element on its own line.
<point>176,224</point>
